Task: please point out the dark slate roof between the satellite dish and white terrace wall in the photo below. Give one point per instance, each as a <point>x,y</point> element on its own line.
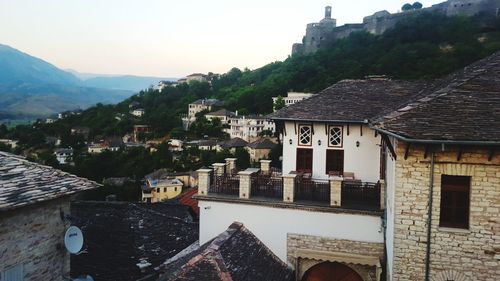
<point>118,236</point>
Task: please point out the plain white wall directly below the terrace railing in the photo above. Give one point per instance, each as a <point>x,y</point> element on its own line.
<point>271,225</point>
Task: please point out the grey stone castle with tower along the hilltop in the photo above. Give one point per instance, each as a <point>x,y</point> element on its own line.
<point>326,32</point>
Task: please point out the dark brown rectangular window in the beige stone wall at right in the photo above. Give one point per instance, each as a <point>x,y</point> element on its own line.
<point>455,193</point>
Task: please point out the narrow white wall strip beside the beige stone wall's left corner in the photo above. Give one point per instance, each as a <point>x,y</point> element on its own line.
<point>390,180</point>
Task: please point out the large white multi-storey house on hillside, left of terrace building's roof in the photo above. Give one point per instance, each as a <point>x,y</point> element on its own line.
<point>249,127</point>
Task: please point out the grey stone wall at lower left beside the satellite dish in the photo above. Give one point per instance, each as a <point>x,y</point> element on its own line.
<point>33,236</point>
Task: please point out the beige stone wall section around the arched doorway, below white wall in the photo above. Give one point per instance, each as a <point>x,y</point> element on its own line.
<point>306,251</point>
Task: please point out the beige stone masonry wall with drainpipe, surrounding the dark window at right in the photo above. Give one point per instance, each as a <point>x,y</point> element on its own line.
<point>456,254</point>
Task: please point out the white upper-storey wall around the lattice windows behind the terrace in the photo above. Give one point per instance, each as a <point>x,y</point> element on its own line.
<point>364,160</point>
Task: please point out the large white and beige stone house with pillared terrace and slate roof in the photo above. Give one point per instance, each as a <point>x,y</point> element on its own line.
<point>379,175</point>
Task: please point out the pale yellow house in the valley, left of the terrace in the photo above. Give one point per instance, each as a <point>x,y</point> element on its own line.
<point>160,186</point>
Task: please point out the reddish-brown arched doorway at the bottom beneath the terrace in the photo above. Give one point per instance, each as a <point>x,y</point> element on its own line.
<point>331,271</point>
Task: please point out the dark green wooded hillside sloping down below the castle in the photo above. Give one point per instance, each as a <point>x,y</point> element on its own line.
<point>425,46</point>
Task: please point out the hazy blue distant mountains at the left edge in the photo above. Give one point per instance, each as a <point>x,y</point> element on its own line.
<point>33,88</point>
